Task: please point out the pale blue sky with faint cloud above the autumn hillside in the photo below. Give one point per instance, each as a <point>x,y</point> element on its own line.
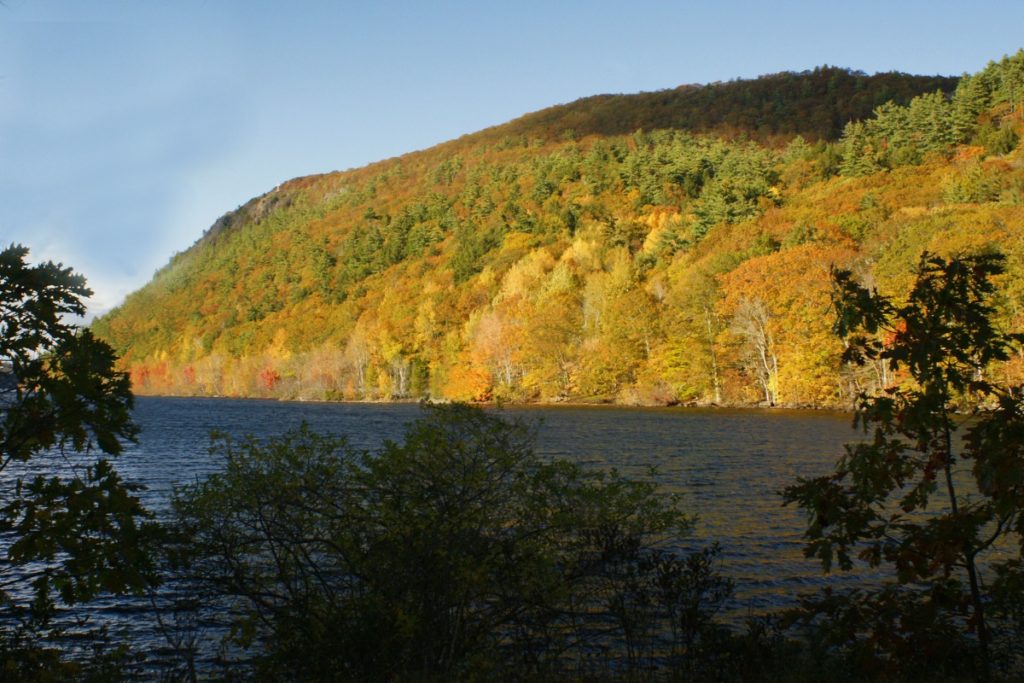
<point>129,126</point>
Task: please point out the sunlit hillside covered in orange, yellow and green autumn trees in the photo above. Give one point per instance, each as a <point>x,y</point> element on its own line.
<point>661,248</point>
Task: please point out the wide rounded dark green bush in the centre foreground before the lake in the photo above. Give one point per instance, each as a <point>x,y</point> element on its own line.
<point>457,553</point>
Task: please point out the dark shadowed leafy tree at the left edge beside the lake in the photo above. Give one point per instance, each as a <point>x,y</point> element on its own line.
<point>78,533</point>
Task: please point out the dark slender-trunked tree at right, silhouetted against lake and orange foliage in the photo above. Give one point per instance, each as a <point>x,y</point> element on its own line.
<point>928,493</point>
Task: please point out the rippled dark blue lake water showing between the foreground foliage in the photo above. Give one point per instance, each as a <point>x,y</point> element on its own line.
<point>729,465</point>
